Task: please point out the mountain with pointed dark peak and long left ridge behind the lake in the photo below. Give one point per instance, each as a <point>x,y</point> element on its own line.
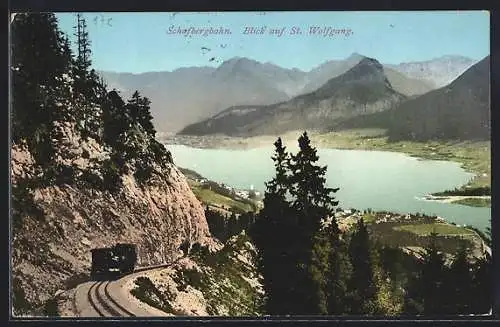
<point>363,89</point>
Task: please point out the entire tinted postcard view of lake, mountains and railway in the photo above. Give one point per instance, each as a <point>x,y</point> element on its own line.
<point>249,178</point>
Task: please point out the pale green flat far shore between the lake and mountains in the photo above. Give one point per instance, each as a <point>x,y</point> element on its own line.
<point>366,140</point>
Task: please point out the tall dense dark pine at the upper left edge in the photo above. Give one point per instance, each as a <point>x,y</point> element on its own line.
<point>39,58</point>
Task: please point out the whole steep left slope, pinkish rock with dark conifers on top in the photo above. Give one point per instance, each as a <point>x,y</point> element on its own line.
<point>86,170</point>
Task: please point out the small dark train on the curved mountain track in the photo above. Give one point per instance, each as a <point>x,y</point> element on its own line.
<point>118,260</point>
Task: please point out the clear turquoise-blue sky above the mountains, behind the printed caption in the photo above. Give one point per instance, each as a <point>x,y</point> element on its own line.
<point>138,42</point>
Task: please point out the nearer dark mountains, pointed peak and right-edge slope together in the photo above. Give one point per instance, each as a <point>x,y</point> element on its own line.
<point>364,97</point>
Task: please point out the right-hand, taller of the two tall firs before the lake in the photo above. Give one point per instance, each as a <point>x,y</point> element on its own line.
<point>313,203</point>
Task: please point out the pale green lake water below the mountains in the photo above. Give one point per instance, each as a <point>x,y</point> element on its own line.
<point>367,179</point>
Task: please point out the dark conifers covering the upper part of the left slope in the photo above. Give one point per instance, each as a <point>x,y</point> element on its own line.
<point>54,90</point>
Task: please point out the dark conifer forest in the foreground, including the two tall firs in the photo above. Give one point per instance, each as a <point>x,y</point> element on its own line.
<point>314,267</point>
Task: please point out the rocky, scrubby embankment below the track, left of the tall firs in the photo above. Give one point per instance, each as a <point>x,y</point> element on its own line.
<point>225,283</point>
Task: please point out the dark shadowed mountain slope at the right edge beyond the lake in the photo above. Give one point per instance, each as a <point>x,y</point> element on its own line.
<point>459,110</point>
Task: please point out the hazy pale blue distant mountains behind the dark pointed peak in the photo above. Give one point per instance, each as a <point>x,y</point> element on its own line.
<point>192,94</point>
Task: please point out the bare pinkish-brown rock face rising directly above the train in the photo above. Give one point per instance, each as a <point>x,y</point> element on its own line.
<point>60,224</point>
